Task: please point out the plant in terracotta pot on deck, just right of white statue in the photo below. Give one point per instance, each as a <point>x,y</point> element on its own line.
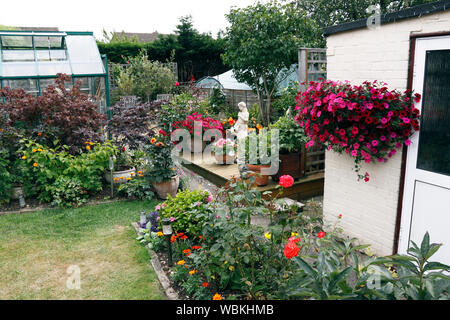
<point>257,154</point>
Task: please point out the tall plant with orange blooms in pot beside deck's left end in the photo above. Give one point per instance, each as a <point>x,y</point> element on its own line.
<point>162,172</point>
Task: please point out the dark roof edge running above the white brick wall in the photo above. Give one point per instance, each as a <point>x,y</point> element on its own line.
<point>416,11</point>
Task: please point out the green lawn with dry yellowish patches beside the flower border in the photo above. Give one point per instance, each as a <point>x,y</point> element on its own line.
<point>36,250</point>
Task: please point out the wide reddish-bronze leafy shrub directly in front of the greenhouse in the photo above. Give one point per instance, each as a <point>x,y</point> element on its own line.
<point>66,116</point>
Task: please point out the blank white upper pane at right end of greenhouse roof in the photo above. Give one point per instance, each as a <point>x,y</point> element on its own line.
<point>84,55</point>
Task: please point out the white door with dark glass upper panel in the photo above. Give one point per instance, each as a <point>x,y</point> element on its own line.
<point>426,197</point>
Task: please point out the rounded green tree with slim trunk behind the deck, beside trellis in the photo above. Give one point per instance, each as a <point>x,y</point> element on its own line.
<point>262,43</point>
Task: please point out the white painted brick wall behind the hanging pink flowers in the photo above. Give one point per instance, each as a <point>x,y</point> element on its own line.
<point>369,210</point>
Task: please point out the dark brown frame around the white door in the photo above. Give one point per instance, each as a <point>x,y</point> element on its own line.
<point>412,53</point>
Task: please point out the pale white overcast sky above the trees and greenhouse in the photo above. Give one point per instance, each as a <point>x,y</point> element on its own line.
<point>129,15</point>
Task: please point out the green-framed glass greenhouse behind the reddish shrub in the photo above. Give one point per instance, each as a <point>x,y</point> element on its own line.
<point>31,60</point>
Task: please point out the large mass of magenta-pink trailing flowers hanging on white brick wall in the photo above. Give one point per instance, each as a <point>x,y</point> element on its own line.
<point>368,122</point>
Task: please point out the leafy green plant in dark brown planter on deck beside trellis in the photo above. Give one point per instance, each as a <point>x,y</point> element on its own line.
<point>292,139</point>
